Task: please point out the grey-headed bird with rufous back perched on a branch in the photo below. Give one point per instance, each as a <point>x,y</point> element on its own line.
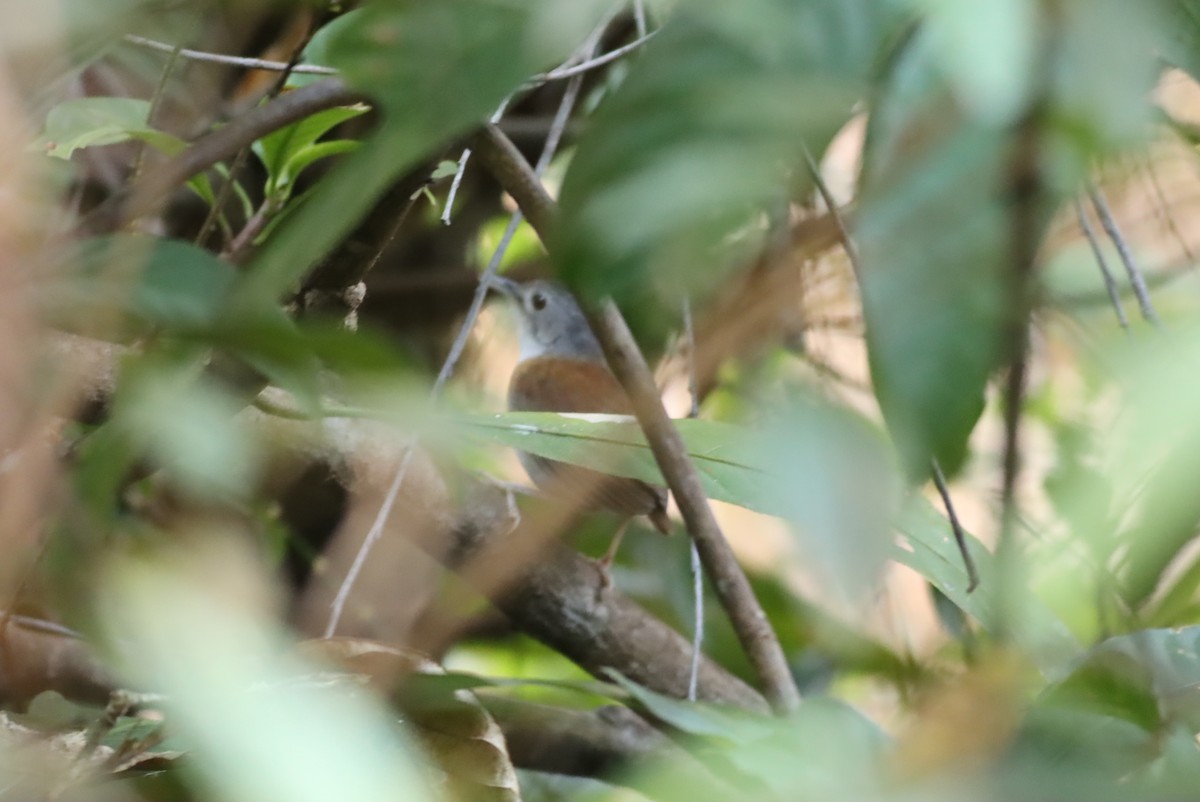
<point>561,368</point>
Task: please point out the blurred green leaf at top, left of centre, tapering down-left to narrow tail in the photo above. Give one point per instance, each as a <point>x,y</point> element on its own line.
<point>436,69</point>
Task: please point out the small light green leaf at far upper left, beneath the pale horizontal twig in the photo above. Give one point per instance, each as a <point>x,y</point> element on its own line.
<point>93,122</point>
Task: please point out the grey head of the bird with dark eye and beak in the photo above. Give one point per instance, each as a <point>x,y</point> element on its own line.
<point>550,320</point>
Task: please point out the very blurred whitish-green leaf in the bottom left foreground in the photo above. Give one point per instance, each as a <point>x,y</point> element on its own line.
<point>260,732</point>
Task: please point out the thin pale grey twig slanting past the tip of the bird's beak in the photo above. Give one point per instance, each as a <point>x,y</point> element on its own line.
<point>335,615</point>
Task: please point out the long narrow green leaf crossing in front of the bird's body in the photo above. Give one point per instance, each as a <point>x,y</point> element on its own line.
<point>743,468</point>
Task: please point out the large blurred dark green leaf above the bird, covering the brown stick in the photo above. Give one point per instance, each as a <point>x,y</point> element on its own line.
<point>705,135</point>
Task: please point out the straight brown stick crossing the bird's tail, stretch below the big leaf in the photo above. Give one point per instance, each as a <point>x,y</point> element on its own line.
<point>731,584</point>
